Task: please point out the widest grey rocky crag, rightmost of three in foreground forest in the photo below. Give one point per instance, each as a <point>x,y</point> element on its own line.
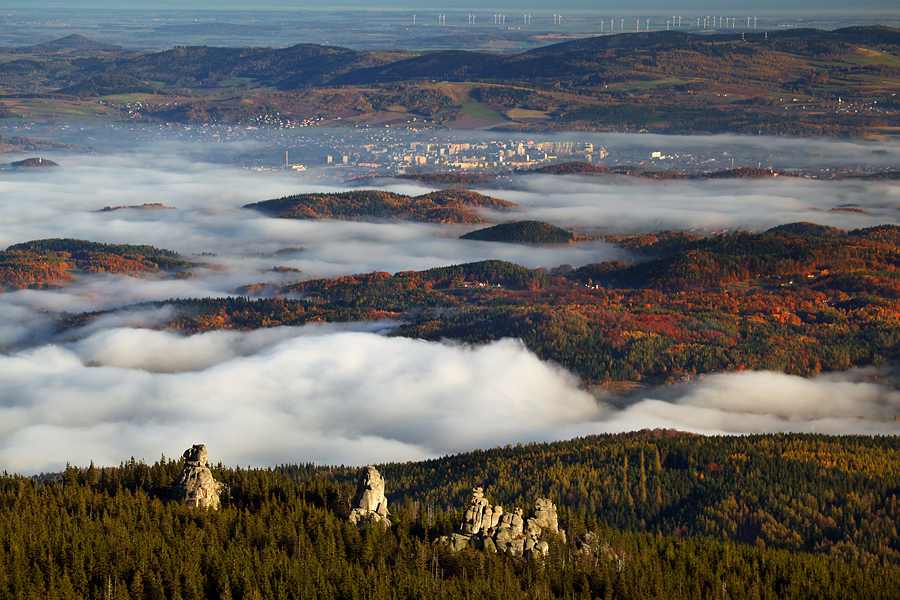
<point>492,529</point>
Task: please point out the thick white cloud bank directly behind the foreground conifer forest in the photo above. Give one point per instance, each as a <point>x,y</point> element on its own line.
<point>348,394</point>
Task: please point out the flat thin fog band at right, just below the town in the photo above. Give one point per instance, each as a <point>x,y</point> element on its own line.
<point>622,204</point>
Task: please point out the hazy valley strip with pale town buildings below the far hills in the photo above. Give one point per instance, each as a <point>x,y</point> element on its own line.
<point>371,151</point>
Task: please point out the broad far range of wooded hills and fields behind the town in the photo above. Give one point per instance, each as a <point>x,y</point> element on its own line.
<point>788,82</point>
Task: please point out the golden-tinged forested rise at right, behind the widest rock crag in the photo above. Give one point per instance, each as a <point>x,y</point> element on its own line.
<point>810,493</point>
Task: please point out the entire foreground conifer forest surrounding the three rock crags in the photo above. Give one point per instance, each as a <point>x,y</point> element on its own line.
<point>647,516</point>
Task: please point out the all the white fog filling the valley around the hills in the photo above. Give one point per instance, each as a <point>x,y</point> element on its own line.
<point>351,393</point>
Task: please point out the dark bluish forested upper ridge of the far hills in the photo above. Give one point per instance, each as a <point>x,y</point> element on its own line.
<point>595,59</point>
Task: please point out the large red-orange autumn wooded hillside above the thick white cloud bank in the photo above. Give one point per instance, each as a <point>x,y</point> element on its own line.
<point>801,299</point>
